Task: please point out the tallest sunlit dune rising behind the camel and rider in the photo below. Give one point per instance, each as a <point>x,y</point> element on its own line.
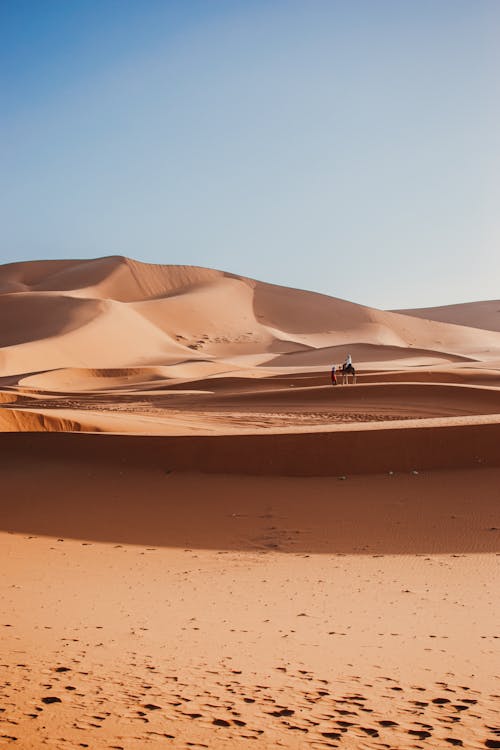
<point>115,312</point>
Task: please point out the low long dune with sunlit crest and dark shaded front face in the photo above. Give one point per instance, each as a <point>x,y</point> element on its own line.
<point>290,449</point>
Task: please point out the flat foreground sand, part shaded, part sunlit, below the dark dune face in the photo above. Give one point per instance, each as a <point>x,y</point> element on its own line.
<point>162,610</point>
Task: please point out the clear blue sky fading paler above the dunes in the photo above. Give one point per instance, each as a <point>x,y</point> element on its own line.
<point>347,147</point>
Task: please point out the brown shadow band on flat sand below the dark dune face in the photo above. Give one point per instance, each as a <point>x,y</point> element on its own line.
<point>452,512</point>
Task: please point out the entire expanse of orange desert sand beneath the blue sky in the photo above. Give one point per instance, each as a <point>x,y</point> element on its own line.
<point>205,544</point>
